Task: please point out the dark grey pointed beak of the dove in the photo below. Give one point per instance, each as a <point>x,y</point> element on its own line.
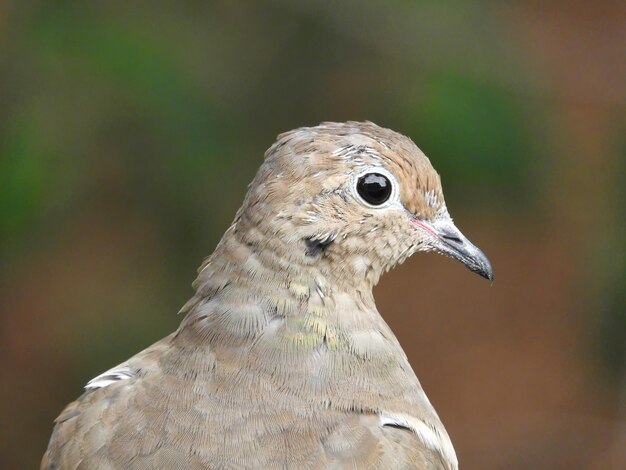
<point>449,241</point>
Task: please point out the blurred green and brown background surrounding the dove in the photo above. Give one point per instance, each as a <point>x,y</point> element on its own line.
<point>129,131</point>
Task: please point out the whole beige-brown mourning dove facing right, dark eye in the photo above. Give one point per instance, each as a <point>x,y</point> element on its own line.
<point>282,359</point>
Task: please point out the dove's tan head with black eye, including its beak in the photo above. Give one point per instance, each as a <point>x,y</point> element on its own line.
<point>351,198</point>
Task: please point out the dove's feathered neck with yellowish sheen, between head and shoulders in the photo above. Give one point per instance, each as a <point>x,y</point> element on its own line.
<point>244,289</point>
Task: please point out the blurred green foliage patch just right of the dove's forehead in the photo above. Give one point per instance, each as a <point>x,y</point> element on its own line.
<point>478,133</point>
